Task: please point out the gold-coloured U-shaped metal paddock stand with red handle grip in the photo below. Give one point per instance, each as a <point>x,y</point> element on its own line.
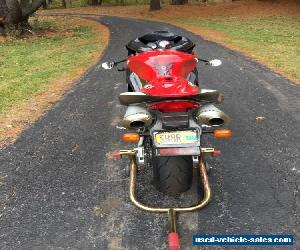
<point>173,237</point>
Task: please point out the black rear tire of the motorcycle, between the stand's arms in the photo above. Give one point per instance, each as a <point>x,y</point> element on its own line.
<point>173,175</point>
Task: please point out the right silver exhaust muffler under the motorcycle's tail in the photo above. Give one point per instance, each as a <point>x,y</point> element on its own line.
<point>212,116</point>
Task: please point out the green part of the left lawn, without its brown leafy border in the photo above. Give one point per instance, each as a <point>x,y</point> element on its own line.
<point>28,66</point>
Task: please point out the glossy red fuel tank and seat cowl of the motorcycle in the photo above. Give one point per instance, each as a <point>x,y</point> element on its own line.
<point>165,71</point>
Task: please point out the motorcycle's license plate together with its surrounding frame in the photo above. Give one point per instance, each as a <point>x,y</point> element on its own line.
<point>180,138</point>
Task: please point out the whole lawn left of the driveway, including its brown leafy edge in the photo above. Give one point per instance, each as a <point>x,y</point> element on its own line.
<point>36,71</point>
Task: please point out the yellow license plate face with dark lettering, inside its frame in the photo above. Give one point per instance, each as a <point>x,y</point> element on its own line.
<point>176,137</point>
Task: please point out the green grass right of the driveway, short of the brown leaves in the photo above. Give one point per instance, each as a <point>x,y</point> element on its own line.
<point>275,40</point>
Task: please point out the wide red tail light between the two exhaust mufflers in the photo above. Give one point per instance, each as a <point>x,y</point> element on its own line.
<point>174,106</point>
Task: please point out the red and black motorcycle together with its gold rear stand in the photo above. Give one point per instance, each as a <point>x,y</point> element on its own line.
<point>167,115</point>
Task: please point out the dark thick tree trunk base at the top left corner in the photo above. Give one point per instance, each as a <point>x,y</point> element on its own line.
<point>14,14</point>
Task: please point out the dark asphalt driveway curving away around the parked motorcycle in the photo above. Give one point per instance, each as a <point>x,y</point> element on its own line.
<point>61,190</point>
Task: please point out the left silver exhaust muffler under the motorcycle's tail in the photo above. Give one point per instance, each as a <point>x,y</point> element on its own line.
<point>137,117</point>
